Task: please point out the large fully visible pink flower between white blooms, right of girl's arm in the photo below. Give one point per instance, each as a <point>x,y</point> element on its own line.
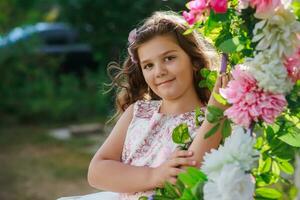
<point>249,102</point>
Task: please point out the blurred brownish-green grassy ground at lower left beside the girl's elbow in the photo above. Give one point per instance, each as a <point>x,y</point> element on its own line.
<point>37,166</point>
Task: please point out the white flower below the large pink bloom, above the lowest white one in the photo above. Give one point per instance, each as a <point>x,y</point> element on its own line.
<point>237,149</point>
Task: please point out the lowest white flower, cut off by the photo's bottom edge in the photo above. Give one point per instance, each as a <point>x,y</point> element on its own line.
<point>232,183</point>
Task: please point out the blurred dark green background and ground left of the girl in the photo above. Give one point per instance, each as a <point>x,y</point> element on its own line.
<point>53,77</point>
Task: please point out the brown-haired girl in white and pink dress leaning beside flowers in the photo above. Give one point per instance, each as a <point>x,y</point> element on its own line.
<point>159,90</point>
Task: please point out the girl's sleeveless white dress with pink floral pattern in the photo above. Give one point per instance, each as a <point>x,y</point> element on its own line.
<point>148,143</point>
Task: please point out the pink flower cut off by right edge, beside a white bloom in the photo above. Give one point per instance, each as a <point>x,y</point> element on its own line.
<point>292,65</point>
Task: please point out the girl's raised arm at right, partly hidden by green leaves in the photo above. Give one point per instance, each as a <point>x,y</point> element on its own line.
<point>200,145</point>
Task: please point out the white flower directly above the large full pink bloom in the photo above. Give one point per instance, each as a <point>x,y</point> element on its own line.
<point>269,72</point>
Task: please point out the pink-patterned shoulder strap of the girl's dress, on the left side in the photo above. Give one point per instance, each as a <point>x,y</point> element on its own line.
<point>145,108</point>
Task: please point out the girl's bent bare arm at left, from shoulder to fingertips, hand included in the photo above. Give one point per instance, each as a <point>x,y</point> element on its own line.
<point>107,172</point>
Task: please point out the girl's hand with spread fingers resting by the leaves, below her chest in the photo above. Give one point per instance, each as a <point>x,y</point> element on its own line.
<point>169,170</point>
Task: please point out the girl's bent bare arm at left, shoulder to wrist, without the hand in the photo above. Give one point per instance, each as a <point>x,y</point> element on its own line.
<point>107,172</point>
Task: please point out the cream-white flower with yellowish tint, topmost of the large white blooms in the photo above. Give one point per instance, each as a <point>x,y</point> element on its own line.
<point>278,33</point>
